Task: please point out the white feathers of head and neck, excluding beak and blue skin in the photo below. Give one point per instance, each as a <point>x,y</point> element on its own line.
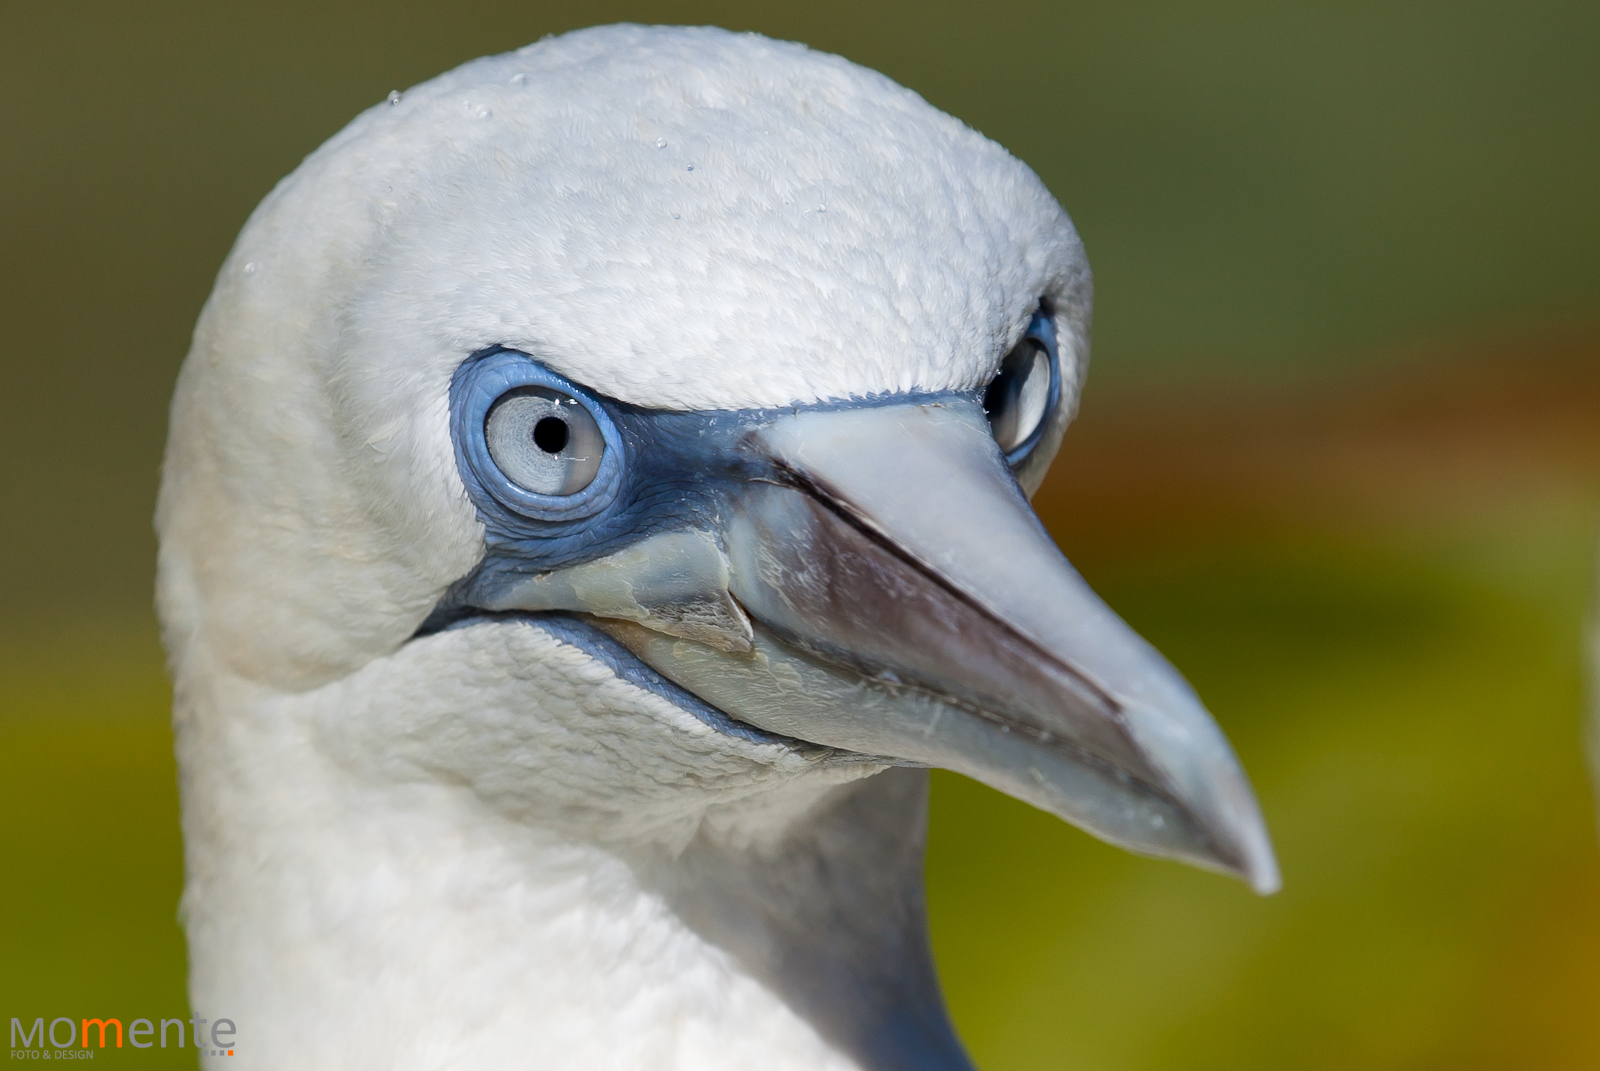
<point>484,846</point>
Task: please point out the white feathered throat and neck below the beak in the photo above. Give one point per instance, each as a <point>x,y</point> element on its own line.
<point>486,851</point>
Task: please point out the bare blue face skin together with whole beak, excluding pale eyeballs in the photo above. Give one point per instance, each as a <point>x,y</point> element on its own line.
<point>902,601</point>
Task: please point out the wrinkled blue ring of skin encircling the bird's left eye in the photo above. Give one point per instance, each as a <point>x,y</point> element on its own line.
<point>482,382</point>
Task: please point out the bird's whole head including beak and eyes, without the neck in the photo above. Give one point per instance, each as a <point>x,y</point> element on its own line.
<point>633,428</point>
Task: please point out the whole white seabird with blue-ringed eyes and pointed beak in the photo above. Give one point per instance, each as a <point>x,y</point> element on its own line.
<point>594,499</point>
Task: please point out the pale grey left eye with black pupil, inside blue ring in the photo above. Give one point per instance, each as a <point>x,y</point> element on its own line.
<point>545,441</point>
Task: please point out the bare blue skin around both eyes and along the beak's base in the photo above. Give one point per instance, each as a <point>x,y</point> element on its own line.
<point>662,470</point>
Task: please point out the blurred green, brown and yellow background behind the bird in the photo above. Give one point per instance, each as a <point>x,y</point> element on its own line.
<point>1340,459</point>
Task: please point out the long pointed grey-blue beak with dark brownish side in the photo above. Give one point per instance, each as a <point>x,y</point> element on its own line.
<point>894,595</point>
